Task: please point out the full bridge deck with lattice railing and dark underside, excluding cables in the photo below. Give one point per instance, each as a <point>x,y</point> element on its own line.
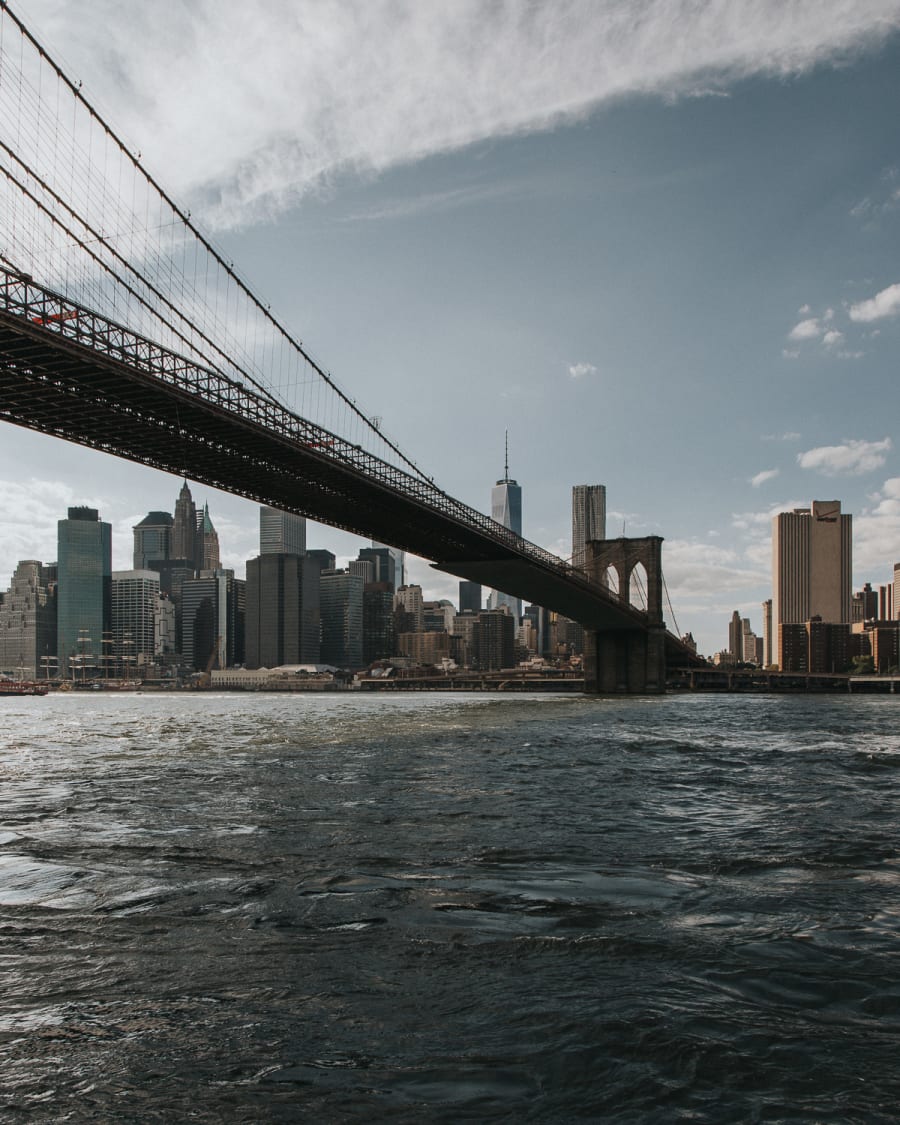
<point>68,372</point>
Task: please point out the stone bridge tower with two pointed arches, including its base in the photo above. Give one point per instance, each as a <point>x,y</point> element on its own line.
<point>627,662</point>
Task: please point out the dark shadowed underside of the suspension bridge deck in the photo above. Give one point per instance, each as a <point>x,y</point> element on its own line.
<point>60,388</point>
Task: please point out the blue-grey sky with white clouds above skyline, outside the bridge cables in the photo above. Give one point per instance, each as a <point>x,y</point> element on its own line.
<point>656,242</point>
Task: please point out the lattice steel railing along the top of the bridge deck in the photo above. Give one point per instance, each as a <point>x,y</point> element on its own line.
<point>24,299</point>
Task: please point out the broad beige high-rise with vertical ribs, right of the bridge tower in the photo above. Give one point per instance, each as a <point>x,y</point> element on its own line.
<point>812,568</point>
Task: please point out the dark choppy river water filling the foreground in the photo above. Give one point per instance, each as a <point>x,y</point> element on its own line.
<point>433,908</point>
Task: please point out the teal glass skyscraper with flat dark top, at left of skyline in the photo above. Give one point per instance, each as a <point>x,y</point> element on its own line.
<point>85,568</point>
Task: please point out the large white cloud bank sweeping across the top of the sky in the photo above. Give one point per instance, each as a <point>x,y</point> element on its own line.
<point>264,103</point>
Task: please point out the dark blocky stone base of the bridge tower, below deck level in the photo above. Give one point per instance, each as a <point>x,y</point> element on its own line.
<point>625,662</point>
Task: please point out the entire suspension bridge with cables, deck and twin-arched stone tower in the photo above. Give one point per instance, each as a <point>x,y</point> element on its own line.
<point>124,329</point>
